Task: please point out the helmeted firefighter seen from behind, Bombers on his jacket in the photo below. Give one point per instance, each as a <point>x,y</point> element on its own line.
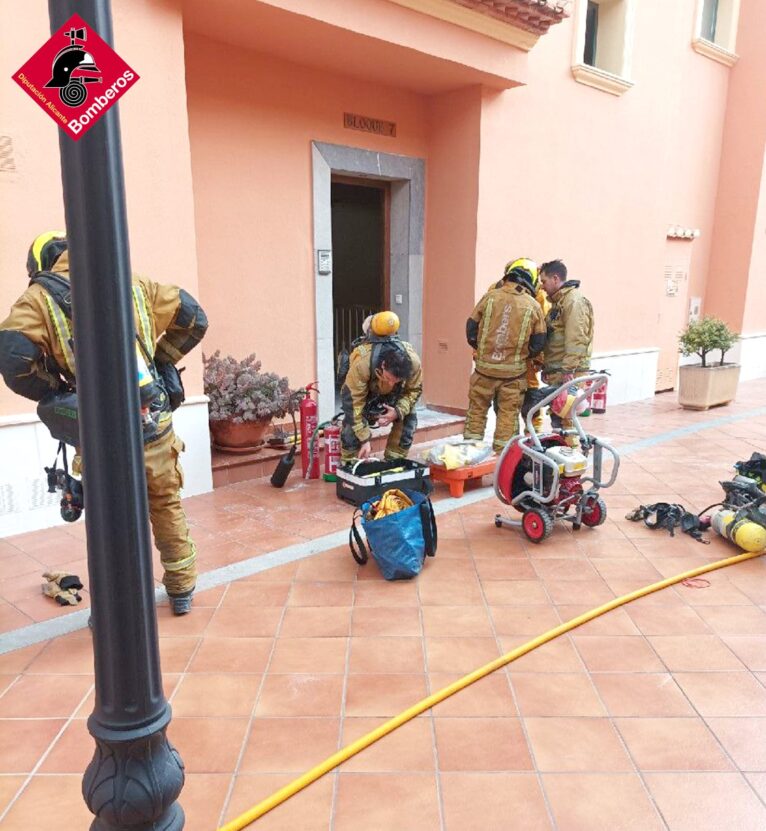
<point>506,329</point>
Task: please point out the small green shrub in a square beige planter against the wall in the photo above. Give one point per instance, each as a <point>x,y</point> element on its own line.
<point>707,384</point>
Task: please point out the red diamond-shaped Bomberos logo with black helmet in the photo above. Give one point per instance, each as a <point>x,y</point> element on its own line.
<point>75,77</point>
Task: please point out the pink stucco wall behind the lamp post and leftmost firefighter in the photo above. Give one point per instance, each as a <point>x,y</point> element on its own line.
<point>155,150</point>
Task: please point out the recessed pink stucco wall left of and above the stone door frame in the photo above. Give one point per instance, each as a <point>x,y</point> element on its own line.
<point>251,156</point>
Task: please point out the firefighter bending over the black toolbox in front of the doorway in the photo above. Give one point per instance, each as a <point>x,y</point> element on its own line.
<point>382,386</point>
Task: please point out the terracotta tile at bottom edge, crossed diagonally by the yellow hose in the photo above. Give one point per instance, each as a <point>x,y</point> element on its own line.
<point>309,810</point>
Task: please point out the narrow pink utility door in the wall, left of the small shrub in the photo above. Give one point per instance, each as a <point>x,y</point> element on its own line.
<point>673,311</point>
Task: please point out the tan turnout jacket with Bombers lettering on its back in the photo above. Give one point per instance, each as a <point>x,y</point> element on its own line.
<point>505,328</point>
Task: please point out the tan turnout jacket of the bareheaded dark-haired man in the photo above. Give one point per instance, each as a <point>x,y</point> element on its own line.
<point>570,331</point>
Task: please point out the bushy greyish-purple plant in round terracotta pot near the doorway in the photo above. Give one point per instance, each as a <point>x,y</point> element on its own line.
<point>243,400</point>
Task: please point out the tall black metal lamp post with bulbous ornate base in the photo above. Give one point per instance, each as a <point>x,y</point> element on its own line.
<point>135,776</point>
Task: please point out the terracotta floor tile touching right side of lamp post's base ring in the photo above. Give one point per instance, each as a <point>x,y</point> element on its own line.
<point>208,745</point>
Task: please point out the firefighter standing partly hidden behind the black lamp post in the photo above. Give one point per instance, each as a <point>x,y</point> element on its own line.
<point>37,361</point>
